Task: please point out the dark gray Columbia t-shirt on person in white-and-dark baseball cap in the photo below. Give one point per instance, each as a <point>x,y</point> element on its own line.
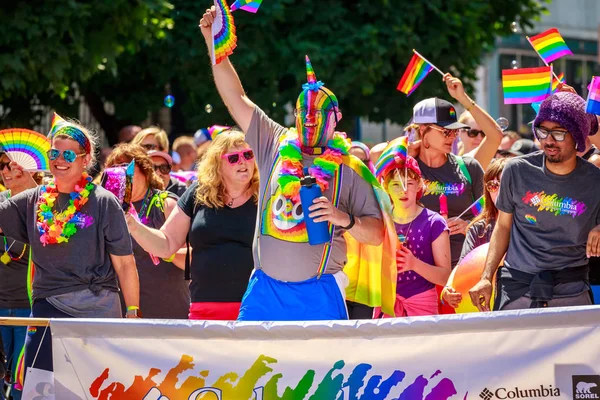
<point>450,180</point>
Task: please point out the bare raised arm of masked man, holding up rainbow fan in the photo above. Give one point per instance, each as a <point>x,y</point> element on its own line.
<point>226,78</point>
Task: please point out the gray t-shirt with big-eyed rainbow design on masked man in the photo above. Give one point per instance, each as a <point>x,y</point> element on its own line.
<point>283,255</point>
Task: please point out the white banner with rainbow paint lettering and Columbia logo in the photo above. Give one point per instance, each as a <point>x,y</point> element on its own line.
<point>530,354</point>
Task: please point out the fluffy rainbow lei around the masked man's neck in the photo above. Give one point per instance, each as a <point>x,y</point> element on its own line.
<point>323,168</point>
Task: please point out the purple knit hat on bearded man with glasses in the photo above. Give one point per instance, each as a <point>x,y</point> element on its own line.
<point>568,110</point>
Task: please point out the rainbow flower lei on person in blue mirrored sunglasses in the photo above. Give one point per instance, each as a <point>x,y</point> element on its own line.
<point>58,228</point>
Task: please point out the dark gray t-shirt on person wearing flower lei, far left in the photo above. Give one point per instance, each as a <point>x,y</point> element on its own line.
<point>81,263</point>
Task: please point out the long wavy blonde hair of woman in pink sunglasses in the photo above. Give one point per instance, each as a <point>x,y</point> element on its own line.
<point>211,190</point>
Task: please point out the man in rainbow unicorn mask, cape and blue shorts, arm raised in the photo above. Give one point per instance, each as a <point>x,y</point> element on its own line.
<point>292,279</point>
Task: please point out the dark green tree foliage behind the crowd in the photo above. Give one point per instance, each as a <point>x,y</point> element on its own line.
<point>358,48</point>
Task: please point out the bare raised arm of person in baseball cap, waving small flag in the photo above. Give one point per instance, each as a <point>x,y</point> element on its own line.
<point>486,150</point>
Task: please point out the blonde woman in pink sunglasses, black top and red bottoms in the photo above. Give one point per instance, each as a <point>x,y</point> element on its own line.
<point>218,212</point>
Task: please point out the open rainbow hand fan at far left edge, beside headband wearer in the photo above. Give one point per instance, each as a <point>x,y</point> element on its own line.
<point>27,148</point>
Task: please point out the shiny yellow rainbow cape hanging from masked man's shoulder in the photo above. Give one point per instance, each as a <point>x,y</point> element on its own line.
<point>372,270</point>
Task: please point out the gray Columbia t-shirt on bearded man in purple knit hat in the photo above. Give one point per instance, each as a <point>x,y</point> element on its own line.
<point>552,214</point>
